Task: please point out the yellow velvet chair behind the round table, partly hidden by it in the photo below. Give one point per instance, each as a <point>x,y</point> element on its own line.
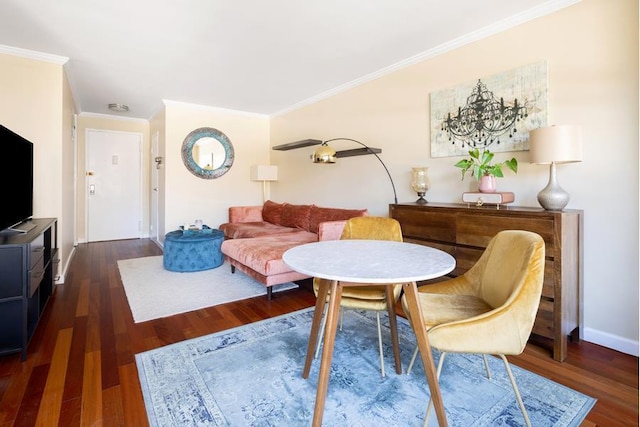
<point>368,297</point>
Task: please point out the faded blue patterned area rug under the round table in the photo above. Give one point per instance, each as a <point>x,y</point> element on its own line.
<point>251,376</point>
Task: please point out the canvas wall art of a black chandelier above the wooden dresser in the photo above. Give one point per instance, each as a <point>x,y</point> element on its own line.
<point>495,112</point>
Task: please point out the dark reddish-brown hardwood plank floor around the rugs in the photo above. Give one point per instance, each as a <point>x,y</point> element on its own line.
<point>81,364</point>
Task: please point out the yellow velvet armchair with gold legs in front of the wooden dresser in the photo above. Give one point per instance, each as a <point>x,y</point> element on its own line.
<point>491,308</point>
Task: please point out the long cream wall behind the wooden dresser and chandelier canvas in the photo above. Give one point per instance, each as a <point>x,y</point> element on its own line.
<point>592,54</point>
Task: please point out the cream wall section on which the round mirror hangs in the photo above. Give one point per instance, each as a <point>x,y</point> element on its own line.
<point>188,197</point>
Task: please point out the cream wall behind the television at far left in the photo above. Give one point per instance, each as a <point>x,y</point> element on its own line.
<point>36,103</point>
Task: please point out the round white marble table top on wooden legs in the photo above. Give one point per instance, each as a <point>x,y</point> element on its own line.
<point>369,261</point>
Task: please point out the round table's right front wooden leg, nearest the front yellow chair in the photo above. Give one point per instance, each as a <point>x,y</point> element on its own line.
<point>411,295</point>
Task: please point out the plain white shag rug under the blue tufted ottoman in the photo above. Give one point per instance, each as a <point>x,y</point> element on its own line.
<point>154,292</point>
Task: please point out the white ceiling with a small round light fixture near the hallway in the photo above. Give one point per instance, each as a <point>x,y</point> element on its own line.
<point>255,56</point>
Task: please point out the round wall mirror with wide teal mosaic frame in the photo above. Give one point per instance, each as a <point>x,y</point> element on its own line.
<point>207,153</point>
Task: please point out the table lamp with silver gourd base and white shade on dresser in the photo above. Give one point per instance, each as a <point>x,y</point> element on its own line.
<point>551,145</point>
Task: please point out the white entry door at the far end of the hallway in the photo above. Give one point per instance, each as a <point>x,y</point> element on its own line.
<point>114,170</point>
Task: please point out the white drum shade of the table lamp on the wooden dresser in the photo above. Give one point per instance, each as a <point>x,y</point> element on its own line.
<point>555,144</point>
